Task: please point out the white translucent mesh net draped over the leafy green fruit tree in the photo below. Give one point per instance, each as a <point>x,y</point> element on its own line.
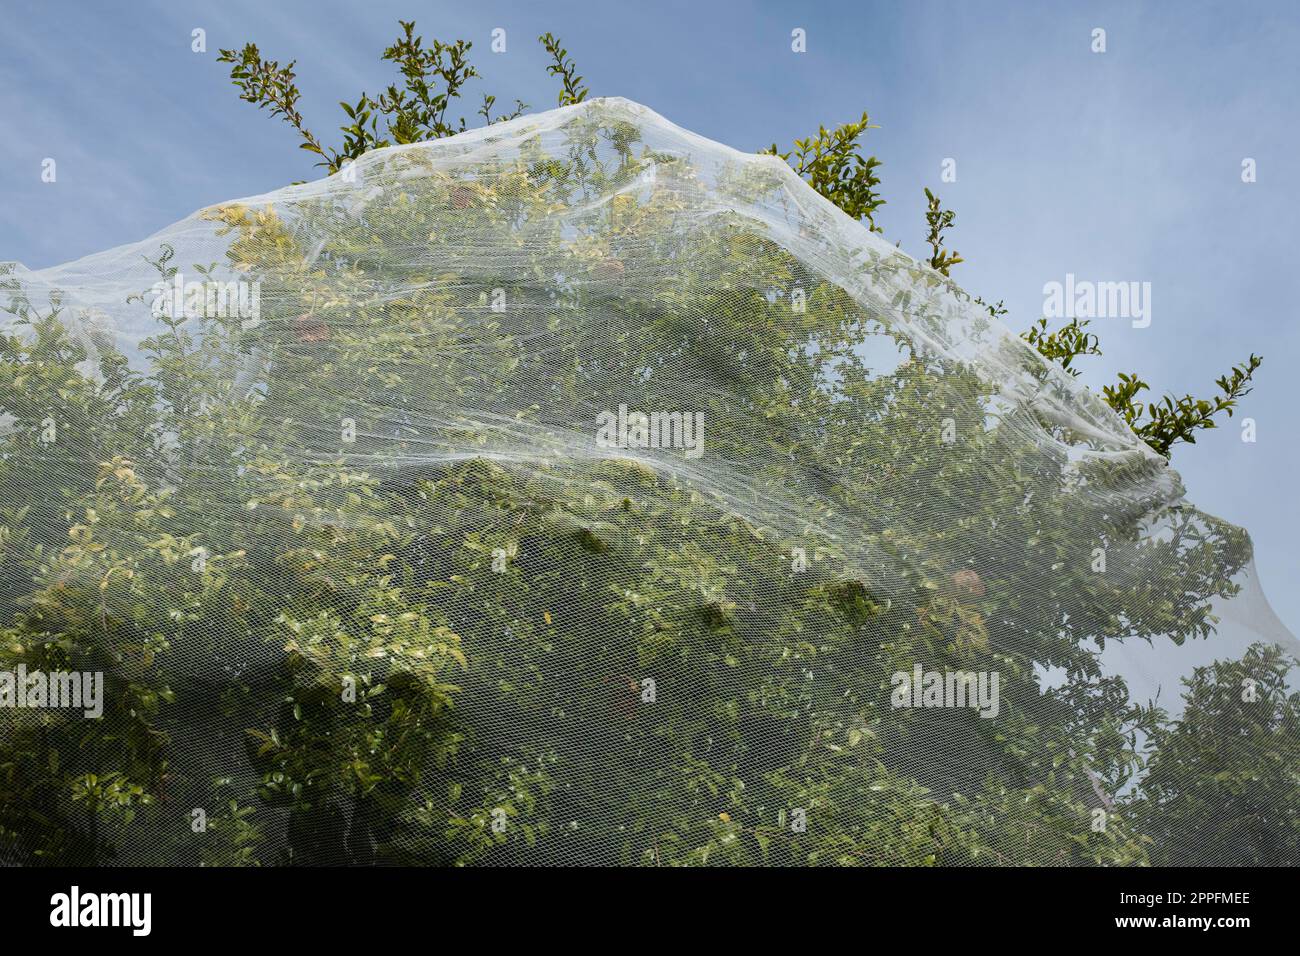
<point>580,491</point>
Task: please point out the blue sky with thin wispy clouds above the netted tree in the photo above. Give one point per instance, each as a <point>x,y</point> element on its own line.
<point>1119,166</point>
